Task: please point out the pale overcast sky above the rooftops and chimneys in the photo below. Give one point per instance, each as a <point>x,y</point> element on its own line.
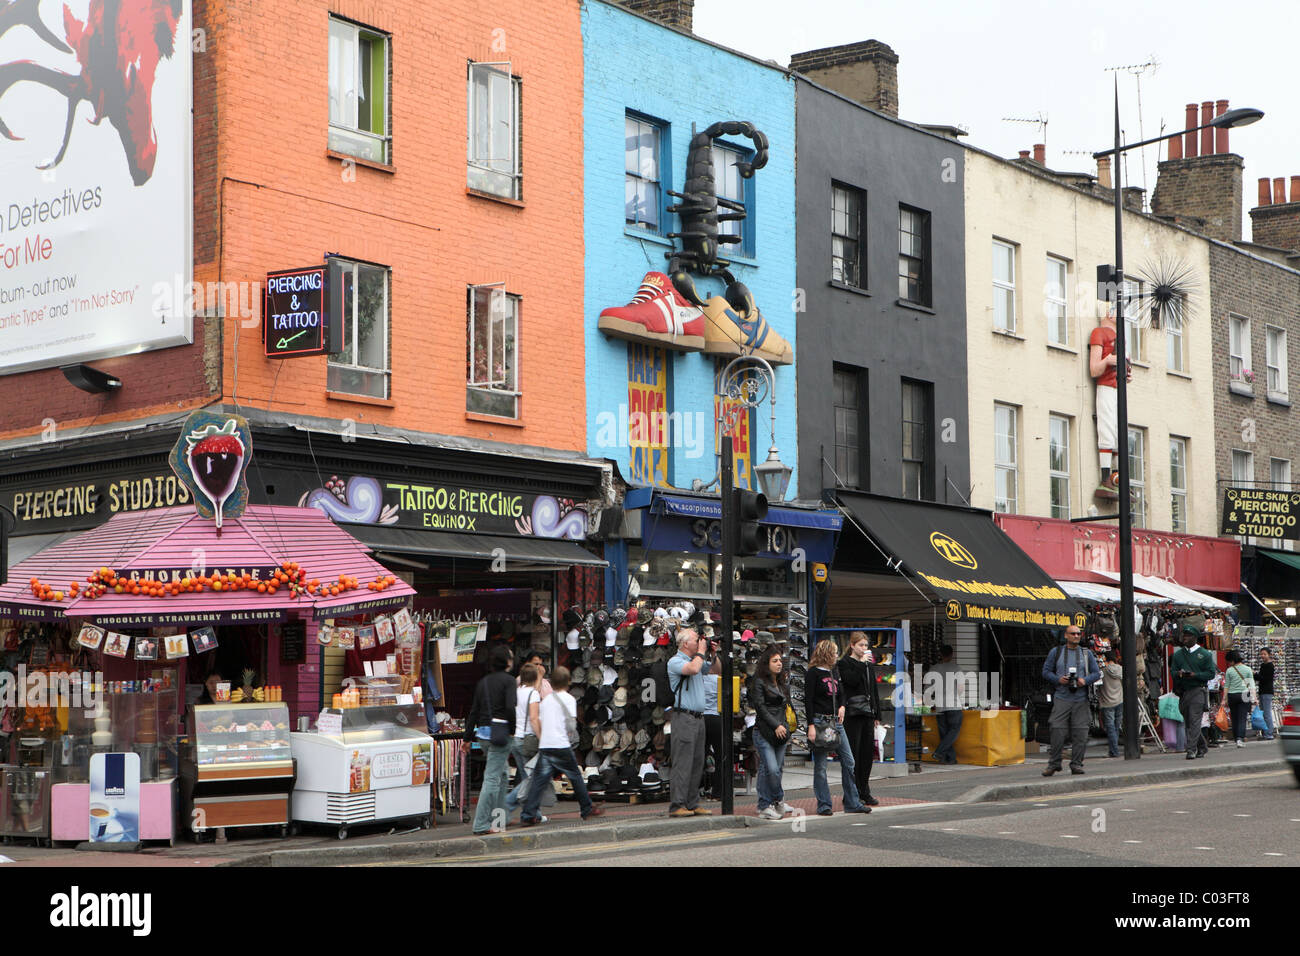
<point>970,63</point>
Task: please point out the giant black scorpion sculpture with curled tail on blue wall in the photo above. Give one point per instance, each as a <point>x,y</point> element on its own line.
<point>701,211</point>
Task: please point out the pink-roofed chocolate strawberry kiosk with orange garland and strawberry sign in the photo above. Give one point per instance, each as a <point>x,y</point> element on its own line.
<point>189,639</point>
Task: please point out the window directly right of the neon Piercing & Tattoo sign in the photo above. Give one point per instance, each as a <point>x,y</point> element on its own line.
<point>362,366</point>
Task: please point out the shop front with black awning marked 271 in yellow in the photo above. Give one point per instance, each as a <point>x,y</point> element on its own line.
<point>920,576</point>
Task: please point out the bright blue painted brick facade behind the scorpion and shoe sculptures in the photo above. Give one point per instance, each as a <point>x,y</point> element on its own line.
<point>648,88</point>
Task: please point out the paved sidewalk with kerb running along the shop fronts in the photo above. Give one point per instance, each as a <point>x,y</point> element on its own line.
<point>622,823</point>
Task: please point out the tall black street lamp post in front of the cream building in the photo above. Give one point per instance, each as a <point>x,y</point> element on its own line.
<point>1233,118</point>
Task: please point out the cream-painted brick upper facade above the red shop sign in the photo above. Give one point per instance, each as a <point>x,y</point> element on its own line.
<point>1029,352</point>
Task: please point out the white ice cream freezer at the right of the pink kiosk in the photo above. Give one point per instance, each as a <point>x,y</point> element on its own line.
<point>366,765</point>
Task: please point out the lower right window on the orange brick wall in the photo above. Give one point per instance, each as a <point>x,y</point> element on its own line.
<point>493,357</point>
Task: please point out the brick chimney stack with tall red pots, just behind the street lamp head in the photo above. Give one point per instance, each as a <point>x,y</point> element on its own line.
<point>1202,188</point>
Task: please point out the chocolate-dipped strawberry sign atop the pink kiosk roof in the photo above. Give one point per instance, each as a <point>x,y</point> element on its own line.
<point>211,458</point>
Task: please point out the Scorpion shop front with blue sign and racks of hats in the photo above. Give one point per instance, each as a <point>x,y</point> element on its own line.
<point>666,568</point>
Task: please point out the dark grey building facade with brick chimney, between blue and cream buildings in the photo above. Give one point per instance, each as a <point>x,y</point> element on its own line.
<point>882,338</point>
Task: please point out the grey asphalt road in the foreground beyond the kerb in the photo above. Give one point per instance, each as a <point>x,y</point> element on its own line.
<point>1250,820</point>
